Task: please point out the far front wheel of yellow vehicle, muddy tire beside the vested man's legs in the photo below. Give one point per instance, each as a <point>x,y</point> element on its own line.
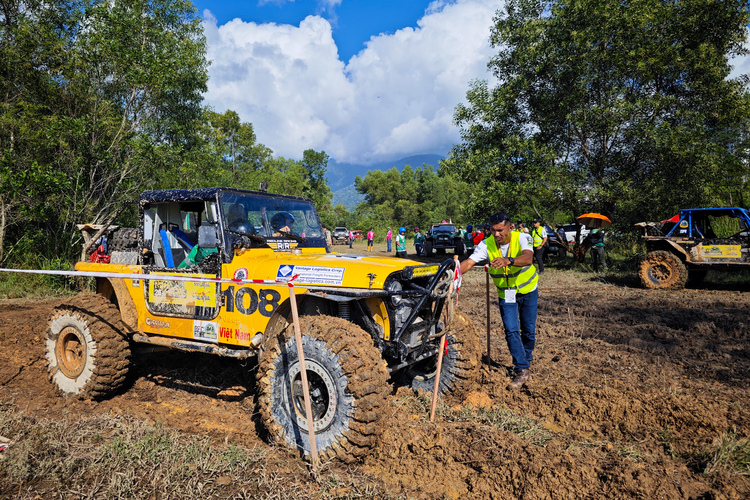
<point>460,365</point>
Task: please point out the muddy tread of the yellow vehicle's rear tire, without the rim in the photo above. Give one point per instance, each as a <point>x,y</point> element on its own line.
<point>112,357</point>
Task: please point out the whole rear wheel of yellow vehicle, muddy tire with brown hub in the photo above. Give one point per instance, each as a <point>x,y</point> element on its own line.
<point>87,348</point>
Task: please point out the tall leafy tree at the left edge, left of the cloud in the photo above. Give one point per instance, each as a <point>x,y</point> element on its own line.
<point>95,95</point>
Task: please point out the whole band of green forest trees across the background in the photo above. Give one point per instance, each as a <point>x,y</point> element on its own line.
<point>623,108</point>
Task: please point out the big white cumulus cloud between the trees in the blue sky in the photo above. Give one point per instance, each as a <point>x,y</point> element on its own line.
<point>393,99</point>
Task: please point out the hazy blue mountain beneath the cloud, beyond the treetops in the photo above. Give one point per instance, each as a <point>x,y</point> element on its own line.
<point>341,175</point>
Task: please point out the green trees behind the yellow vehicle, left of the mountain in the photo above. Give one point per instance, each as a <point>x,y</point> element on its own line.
<point>91,115</point>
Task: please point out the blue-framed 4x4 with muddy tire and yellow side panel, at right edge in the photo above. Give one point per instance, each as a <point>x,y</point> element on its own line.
<point>691,243</point>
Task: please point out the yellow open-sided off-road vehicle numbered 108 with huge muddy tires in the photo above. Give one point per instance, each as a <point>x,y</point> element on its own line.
<point>364,318</point>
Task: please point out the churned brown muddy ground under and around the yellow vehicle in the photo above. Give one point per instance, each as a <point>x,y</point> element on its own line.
<point>632,390</point>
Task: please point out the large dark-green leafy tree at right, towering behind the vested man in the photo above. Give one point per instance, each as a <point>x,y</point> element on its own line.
<point>622,107</point>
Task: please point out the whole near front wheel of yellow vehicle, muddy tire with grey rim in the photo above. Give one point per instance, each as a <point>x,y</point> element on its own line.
<point>348,381</point>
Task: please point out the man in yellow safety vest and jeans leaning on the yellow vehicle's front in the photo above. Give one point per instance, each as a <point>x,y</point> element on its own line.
<point>510,257</point>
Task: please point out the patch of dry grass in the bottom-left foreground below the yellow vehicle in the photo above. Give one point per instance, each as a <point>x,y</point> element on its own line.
<point>113,456</point>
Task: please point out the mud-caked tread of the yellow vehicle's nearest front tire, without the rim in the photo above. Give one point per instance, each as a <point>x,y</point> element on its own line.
<point>366,379</point>
